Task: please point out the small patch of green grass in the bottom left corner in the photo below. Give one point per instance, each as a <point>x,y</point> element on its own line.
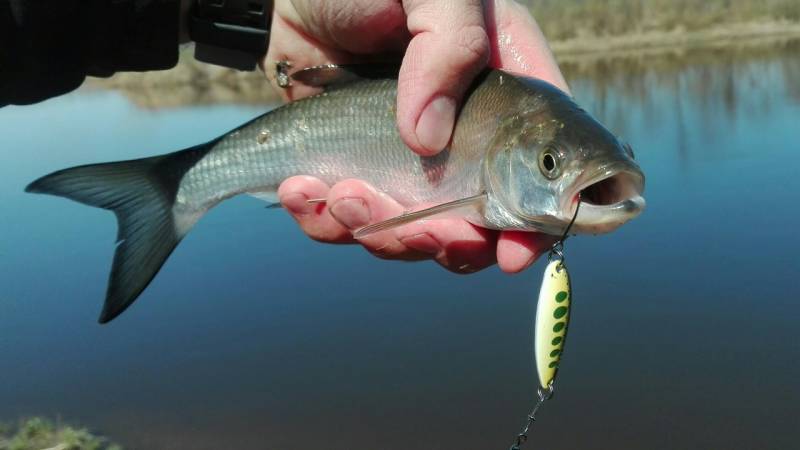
<point>38,433</point>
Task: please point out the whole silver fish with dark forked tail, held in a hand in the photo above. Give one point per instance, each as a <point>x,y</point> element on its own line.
<point>521,152</point>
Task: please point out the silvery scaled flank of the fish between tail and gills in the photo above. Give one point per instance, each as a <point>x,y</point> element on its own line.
<point>315,137</point>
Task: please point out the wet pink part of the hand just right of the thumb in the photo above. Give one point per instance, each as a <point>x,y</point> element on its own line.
<point>518,44</point>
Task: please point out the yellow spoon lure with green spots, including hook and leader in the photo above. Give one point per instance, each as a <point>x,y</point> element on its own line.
<point>550,327</point>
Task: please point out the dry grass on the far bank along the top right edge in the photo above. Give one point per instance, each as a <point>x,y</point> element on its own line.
<point>565,19</point>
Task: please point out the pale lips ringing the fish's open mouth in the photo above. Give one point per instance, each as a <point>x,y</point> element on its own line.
<point>630,206</point>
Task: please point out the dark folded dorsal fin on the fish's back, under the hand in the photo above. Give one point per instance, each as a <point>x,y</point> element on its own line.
<point>330,75</point>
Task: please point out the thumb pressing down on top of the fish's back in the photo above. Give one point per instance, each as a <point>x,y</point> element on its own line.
<point>449,46</point>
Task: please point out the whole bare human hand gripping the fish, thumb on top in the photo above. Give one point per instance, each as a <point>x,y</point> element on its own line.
<point>446,42</point>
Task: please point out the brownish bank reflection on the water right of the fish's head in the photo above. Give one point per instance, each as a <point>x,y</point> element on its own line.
<point>710,80</point>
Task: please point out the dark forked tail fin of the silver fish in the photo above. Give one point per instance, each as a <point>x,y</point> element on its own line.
<point>141,193</point>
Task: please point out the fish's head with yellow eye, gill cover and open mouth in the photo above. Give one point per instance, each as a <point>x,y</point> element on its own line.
<point>542,160</point>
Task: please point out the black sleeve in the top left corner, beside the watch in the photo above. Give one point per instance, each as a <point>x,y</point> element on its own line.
<point>47,48</point>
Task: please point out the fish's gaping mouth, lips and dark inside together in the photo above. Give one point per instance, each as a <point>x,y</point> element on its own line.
<point>609,197</point>
